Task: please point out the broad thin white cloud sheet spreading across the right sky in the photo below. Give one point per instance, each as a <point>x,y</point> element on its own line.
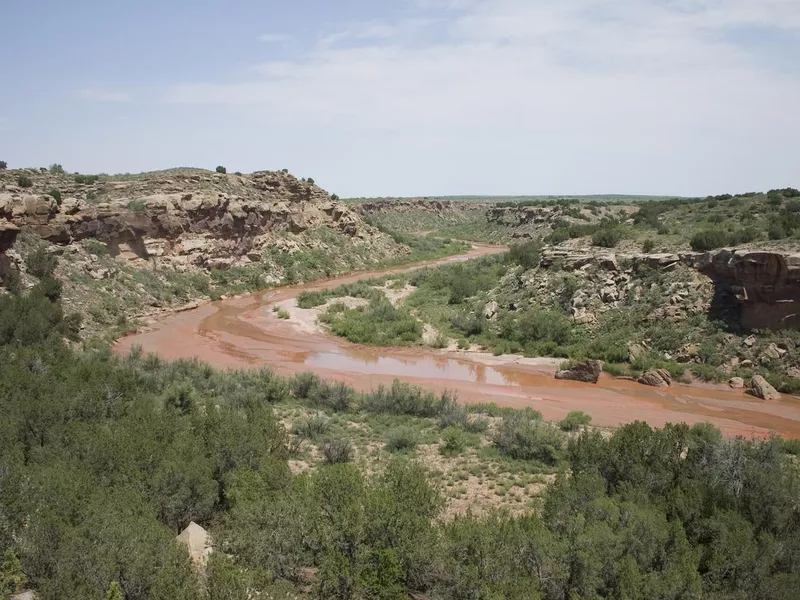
<point>635,85</point>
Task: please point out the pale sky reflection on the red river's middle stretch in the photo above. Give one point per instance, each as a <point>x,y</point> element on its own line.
<point>425,367</point>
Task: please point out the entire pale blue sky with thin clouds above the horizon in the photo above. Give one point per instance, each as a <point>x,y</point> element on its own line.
<point>412,97</point>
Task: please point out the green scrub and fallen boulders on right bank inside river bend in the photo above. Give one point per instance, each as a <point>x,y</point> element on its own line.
<point>517,303</point>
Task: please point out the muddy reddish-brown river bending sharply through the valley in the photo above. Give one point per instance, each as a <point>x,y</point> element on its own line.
<point>245,332</point>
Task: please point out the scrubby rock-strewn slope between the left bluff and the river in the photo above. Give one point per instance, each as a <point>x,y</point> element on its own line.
<point>113,294</point>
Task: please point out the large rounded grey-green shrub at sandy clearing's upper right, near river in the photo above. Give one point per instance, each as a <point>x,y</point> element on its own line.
<point>525,438</point>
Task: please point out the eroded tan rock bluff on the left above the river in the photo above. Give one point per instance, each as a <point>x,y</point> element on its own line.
<point>195,219</point>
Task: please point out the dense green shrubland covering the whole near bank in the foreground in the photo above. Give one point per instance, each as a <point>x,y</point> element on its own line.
<point>313,490</point>
